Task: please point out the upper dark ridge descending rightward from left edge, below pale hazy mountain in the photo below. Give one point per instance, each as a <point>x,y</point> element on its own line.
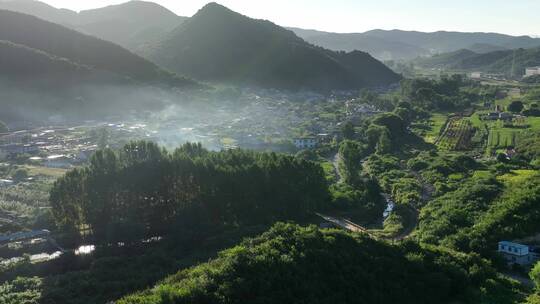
<point>59,41</point>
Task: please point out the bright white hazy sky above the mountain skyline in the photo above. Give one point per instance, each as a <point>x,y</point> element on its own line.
<point>516,17</point>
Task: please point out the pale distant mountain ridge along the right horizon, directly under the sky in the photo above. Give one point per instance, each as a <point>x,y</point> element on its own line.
<point>406,45</point>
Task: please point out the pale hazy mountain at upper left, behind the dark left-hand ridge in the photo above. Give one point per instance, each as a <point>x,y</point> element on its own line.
<point>132,25</point>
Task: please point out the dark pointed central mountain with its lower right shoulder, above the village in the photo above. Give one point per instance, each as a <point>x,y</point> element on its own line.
<point>220,45</point>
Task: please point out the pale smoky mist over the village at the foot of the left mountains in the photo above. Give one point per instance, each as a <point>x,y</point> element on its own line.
<point>216,118</point>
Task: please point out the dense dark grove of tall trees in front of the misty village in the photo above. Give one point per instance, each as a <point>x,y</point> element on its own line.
<point>144,191</point>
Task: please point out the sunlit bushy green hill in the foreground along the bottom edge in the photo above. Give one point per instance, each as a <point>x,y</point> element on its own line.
<point>291,264</point>
